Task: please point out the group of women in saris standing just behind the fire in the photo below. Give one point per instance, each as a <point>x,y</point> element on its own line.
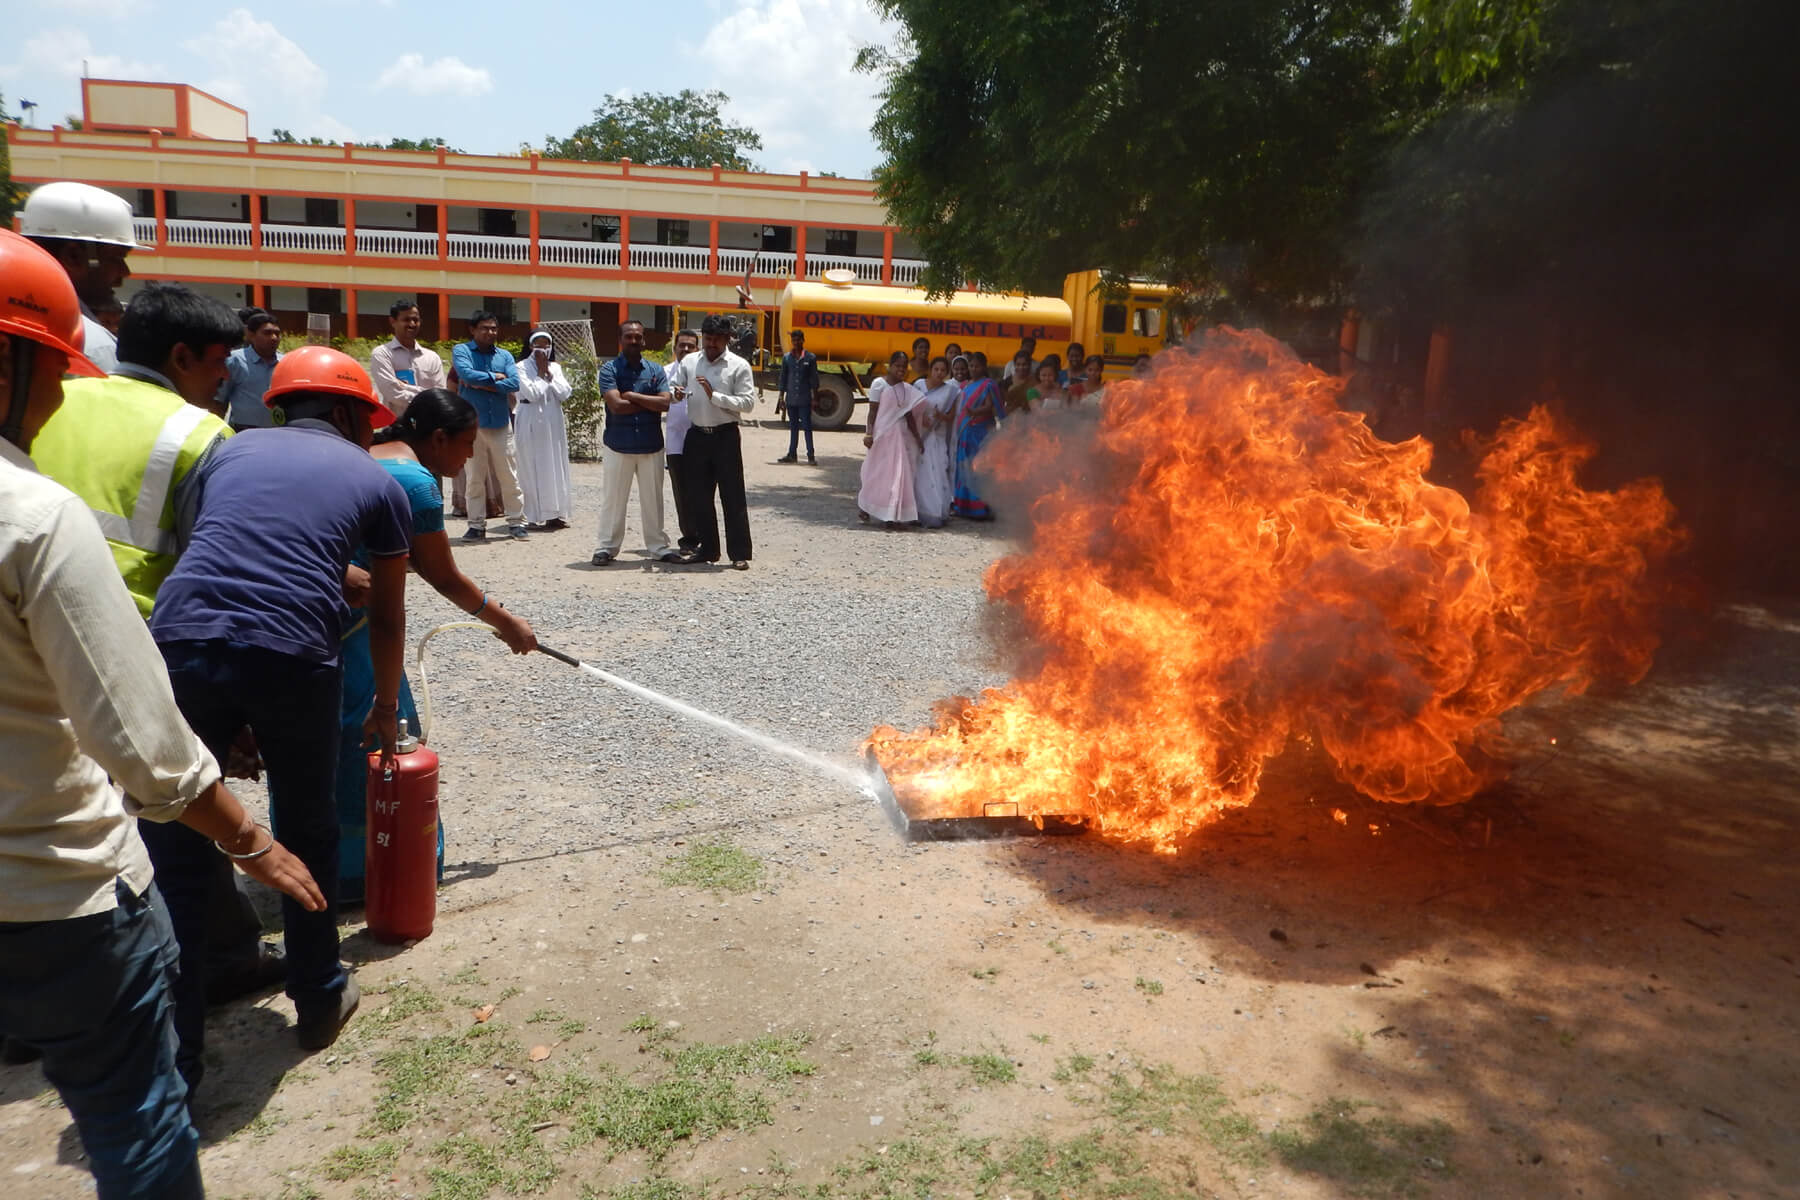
<point>930,420</point>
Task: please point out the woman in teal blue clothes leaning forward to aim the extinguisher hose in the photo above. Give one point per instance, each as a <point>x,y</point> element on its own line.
<point>433,440</point>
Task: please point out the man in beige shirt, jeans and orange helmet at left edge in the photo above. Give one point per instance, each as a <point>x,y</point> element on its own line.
<point>85,944</point>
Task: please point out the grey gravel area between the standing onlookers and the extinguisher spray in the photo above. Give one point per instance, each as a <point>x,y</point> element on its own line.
<point>836,629</point>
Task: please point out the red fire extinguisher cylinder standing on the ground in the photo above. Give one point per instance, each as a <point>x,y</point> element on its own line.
<point>402,843</point>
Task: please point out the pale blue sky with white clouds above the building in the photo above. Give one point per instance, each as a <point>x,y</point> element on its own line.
<point>377,69</point>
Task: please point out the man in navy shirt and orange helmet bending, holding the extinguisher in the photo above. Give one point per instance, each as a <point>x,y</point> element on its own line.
<point>249,627</point>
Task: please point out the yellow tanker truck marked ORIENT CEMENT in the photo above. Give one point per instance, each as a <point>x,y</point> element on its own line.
<point>854,328</point>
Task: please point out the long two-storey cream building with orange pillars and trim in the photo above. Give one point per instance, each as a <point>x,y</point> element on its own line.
<point>343,231</point>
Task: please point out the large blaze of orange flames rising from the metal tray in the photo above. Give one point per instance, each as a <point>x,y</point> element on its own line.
<point>1228,560</point>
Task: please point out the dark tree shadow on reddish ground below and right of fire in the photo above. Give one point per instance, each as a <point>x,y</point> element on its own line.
<point>1590,969</point>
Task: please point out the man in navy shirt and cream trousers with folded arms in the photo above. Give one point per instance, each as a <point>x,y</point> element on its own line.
<point>638,395</point>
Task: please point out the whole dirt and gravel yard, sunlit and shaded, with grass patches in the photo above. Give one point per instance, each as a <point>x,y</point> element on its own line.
<point>1581,985</point>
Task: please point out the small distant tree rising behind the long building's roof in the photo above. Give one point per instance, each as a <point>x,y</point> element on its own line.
<point>683,130</point>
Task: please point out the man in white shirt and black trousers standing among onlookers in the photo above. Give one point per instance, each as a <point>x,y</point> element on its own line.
<point>719,390</point>
